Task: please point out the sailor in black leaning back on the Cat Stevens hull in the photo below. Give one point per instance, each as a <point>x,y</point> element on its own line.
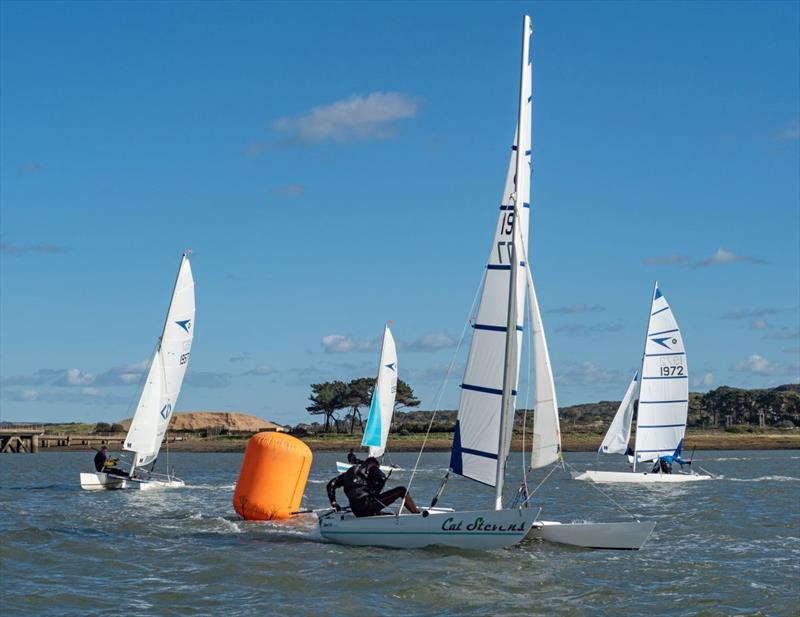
<point>363,484</point>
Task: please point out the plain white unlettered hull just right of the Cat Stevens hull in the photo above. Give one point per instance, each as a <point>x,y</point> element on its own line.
<point>629,536</point>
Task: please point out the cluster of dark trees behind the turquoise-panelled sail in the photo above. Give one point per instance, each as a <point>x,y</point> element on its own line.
<point>331,397</point>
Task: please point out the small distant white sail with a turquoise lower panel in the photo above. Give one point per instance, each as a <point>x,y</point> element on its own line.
<point>383,395</point>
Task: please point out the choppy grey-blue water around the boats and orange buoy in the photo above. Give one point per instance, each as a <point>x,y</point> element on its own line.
<point>727,547</point>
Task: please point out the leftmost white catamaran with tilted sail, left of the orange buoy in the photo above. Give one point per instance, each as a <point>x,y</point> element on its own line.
<point>159,395</point>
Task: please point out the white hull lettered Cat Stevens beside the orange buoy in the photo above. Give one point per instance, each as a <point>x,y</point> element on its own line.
<point>479,529</point>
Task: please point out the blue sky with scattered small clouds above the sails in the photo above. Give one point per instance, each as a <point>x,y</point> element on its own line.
<point>336,165</point>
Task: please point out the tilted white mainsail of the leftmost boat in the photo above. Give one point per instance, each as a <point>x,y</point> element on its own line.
<point>165,375</point>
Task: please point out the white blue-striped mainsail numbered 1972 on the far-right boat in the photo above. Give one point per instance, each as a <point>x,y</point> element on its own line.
<point>664,390</point>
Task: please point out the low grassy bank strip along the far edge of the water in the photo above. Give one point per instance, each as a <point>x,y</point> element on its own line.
<point>579,442</point>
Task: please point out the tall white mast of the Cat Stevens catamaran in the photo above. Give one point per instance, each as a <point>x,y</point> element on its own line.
<point>509,366</point>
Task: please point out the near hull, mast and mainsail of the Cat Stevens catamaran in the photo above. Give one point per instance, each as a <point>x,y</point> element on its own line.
<point>486,408</point>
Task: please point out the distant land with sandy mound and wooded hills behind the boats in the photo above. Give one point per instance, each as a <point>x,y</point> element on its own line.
<point>723,419</point>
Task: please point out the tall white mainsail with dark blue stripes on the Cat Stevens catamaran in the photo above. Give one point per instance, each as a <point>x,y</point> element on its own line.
<point>476,443</point>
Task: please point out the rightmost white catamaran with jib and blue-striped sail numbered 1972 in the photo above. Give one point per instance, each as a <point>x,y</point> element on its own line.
<point>663,405</point>
